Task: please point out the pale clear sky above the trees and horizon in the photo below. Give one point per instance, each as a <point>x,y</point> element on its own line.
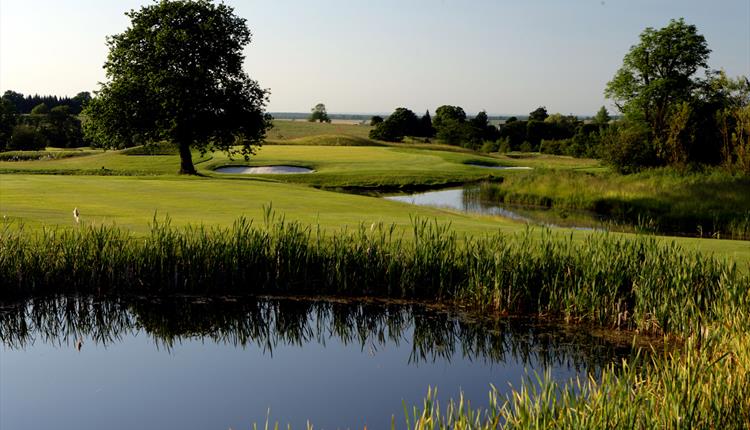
<point>505,57</point>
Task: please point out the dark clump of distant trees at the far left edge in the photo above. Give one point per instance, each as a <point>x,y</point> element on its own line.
<point>41,126</point>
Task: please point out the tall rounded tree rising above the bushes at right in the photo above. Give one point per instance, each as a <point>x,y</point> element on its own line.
<point>658,75</point>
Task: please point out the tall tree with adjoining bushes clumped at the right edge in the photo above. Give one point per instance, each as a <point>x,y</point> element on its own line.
<point>682,120</point>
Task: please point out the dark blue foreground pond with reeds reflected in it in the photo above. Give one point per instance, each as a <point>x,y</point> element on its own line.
<point>197,363</point>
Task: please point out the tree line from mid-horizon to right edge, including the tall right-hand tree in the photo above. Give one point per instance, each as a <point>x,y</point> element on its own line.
<point>670,116</point>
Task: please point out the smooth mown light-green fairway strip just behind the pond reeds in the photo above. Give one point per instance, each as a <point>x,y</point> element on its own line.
<point>132,202</point>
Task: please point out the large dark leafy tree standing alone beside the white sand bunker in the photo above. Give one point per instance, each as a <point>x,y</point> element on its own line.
<point>176,74</point>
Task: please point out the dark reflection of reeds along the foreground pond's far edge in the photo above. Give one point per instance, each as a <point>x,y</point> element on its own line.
<point>432,334</point>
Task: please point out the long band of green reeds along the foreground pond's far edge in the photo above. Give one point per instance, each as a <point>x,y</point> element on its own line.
<point>607,280</point>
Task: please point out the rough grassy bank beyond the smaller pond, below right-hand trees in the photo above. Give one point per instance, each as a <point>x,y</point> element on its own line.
<point>706,204</point>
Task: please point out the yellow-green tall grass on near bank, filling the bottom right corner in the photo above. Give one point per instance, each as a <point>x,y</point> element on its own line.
<point>704,385</point>
